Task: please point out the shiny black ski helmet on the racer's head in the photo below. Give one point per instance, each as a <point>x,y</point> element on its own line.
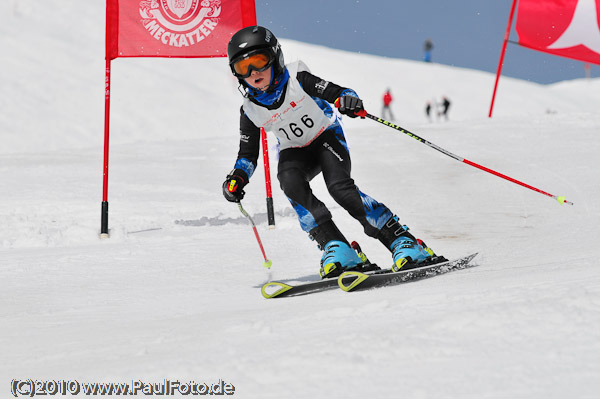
<point>253,39</point>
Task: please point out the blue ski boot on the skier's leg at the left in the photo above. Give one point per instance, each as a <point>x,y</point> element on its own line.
<point>338,256</point>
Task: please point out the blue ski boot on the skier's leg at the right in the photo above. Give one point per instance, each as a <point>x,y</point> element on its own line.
<point>407,251</point>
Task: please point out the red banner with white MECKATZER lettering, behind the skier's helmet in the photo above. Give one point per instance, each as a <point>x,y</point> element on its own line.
<point>174,28</point>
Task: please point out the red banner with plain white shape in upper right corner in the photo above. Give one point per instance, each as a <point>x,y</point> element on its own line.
<point>568,28</point>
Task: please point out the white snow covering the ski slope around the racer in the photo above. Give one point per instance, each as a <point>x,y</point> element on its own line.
<point>174,293</point>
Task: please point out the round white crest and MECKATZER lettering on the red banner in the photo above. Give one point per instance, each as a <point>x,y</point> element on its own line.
<point>180,23</point>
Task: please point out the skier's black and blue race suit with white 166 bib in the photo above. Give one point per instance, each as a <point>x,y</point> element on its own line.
<point>298,111</point>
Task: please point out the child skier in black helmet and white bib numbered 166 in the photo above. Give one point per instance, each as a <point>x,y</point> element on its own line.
<point>295,105</point>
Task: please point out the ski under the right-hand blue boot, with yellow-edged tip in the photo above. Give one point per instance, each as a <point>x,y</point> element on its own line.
<point>356,281</point>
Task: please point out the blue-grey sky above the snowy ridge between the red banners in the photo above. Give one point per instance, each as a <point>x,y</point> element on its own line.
<point>465,33</point>
